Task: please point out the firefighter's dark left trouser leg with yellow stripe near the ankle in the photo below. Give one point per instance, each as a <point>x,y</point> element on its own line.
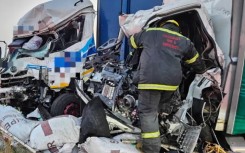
<point>148,107</point>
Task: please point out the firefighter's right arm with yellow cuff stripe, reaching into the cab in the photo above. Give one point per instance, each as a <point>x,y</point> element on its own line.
<point>194,60</point>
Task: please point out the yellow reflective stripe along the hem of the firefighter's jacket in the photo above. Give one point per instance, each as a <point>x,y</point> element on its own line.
<point>157,87</point>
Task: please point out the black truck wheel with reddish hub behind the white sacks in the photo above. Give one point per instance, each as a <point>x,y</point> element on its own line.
<point>67,104</point>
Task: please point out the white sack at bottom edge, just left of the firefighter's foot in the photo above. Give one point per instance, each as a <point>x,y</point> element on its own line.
<point>106,145</point>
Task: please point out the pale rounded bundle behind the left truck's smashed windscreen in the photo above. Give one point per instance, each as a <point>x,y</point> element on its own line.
<point>33,44</point>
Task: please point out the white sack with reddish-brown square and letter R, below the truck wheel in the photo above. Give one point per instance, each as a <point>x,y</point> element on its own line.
<point>55,132</point>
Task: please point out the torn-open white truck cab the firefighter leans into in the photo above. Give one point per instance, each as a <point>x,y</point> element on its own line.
<point>194,23</point>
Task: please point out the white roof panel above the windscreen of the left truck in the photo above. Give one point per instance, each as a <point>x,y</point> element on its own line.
<point>48,15</point>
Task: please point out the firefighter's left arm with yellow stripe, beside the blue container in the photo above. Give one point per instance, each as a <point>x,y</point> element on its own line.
<point>135,40</point>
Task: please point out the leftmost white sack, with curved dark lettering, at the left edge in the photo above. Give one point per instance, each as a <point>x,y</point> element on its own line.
<point>14,122</point>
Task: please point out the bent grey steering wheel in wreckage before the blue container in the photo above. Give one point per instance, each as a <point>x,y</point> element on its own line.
<point>111,44</point>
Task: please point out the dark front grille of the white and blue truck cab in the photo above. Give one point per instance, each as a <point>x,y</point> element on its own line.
<point>9,80</point>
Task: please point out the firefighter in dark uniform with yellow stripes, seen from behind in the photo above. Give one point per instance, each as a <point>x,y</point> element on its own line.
<point>160,74</point>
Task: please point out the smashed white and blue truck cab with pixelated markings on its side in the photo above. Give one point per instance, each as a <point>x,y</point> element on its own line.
<point>48,50</point>
